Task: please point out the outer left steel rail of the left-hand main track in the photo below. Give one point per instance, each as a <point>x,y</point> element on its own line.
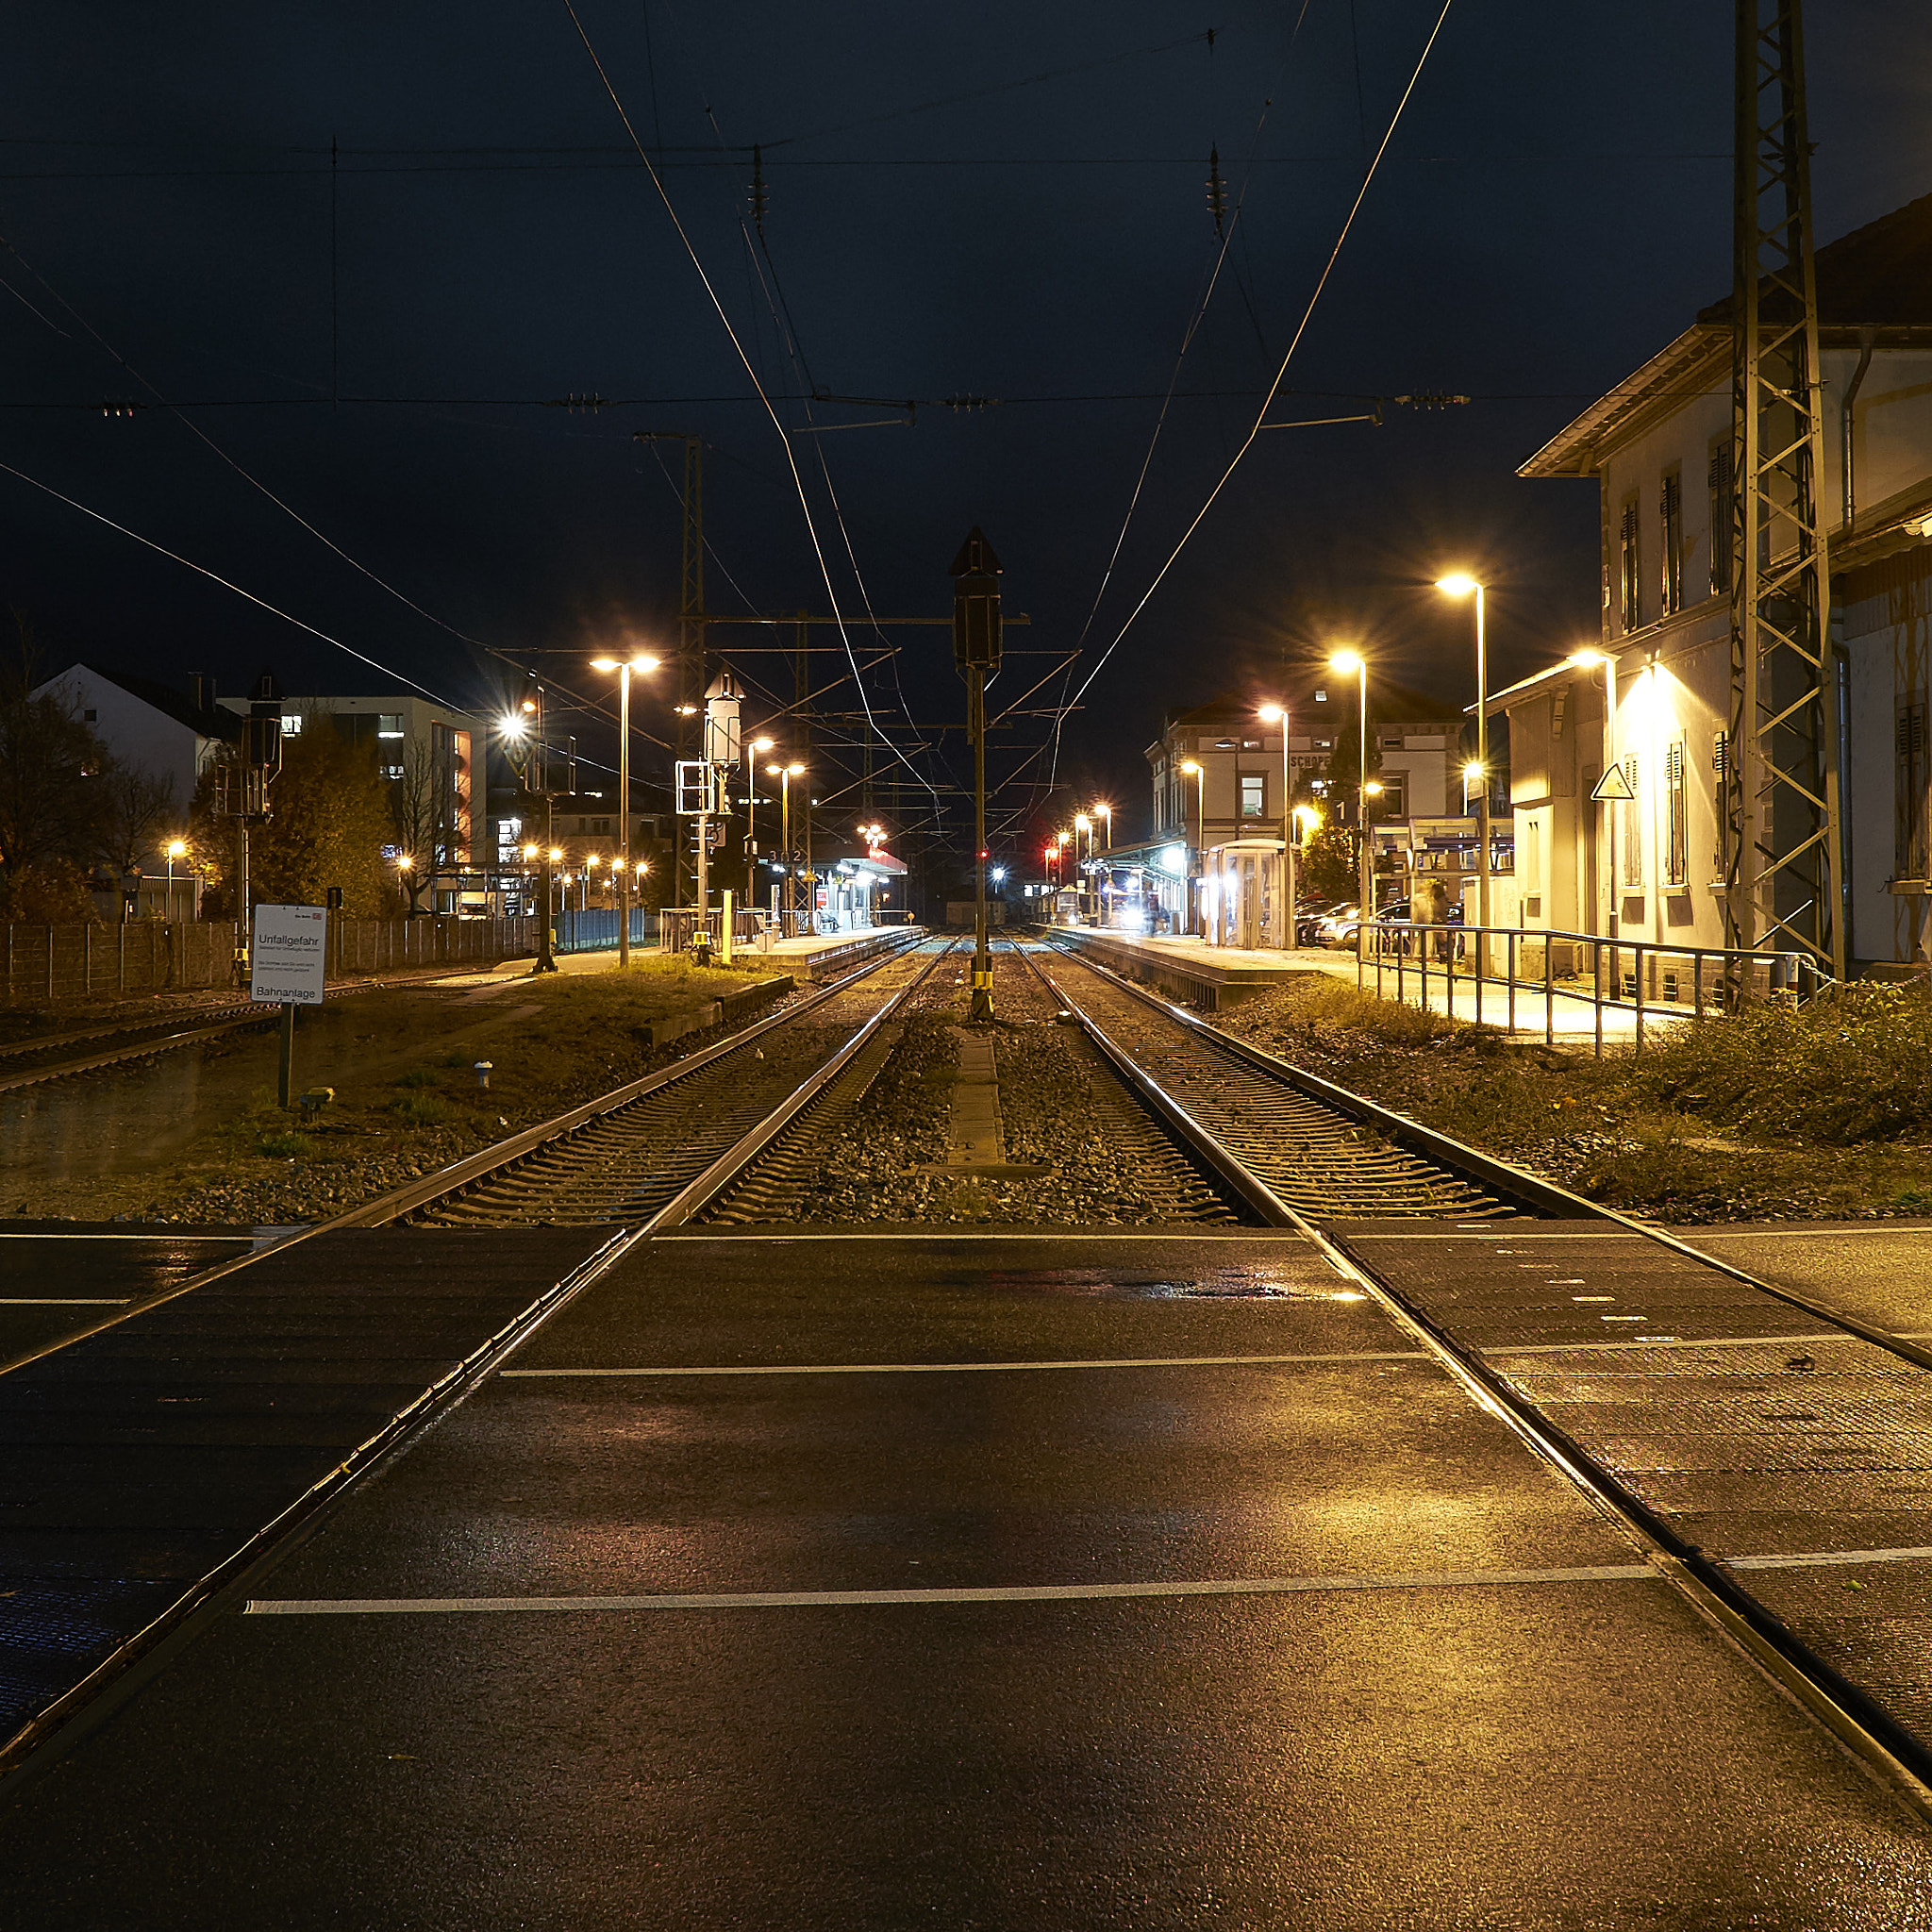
<point>482,1164</point>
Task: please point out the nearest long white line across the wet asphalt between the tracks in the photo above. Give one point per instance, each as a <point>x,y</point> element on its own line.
<point>1046,1593</point>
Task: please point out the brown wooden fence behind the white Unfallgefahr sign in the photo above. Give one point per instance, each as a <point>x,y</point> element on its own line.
<point>51,965</point>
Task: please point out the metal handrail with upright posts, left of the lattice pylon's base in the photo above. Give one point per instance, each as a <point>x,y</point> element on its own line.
<point>1736,977</point>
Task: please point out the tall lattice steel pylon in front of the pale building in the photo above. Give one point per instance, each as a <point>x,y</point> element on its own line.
<point>1784,857</point>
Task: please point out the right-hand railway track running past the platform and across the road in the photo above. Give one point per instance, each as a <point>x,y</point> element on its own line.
<point>1686,1429</point>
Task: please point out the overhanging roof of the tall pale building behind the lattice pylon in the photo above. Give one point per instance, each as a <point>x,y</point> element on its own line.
<point>1875,279</point>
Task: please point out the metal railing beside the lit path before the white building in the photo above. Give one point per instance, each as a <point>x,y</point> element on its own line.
<point>1637,977</point>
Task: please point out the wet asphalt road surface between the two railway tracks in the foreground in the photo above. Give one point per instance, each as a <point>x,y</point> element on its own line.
<point>1290,1635</point>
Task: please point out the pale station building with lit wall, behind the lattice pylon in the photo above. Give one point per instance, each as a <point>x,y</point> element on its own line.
<point>1659,449</point>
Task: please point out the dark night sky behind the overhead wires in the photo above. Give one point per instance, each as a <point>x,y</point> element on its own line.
<point>1006,202</point>
